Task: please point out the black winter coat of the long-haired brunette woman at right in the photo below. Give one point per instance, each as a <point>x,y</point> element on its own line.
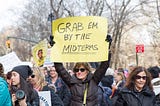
<point>128,97</point>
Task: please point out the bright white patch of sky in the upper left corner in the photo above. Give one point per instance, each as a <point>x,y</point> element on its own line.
<point>7,16</point>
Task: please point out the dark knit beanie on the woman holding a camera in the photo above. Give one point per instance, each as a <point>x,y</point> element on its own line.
<point>23,70</point>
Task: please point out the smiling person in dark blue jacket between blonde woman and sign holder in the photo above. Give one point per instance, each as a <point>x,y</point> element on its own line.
<point>61,88</point>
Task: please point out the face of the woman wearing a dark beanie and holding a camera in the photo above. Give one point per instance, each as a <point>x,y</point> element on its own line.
<point>15,78</point>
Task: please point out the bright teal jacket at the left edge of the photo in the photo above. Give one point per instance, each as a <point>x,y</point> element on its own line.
<point>5,99</point>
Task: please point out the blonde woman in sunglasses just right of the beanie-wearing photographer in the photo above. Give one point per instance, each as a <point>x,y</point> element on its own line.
<point>37,80</point>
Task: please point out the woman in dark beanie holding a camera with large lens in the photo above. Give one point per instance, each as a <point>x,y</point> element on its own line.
<point>22,92</point>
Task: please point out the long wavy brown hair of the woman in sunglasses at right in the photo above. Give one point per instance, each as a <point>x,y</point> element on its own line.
<point>130,83</point>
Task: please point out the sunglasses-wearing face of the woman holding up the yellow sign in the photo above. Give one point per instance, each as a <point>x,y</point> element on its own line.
<point>81,73</point>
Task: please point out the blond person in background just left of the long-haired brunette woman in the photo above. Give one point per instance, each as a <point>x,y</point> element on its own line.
<point>119,80</point>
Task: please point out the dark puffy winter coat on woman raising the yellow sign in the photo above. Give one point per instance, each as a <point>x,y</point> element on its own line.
<point>77,87</point>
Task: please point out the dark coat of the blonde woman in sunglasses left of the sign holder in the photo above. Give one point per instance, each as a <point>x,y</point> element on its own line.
<point>55,99</point>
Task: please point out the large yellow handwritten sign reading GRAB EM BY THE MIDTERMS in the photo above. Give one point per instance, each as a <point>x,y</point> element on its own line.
<point>80,39</point>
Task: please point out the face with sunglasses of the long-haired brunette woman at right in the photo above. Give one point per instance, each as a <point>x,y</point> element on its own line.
<point>140,80</point>
